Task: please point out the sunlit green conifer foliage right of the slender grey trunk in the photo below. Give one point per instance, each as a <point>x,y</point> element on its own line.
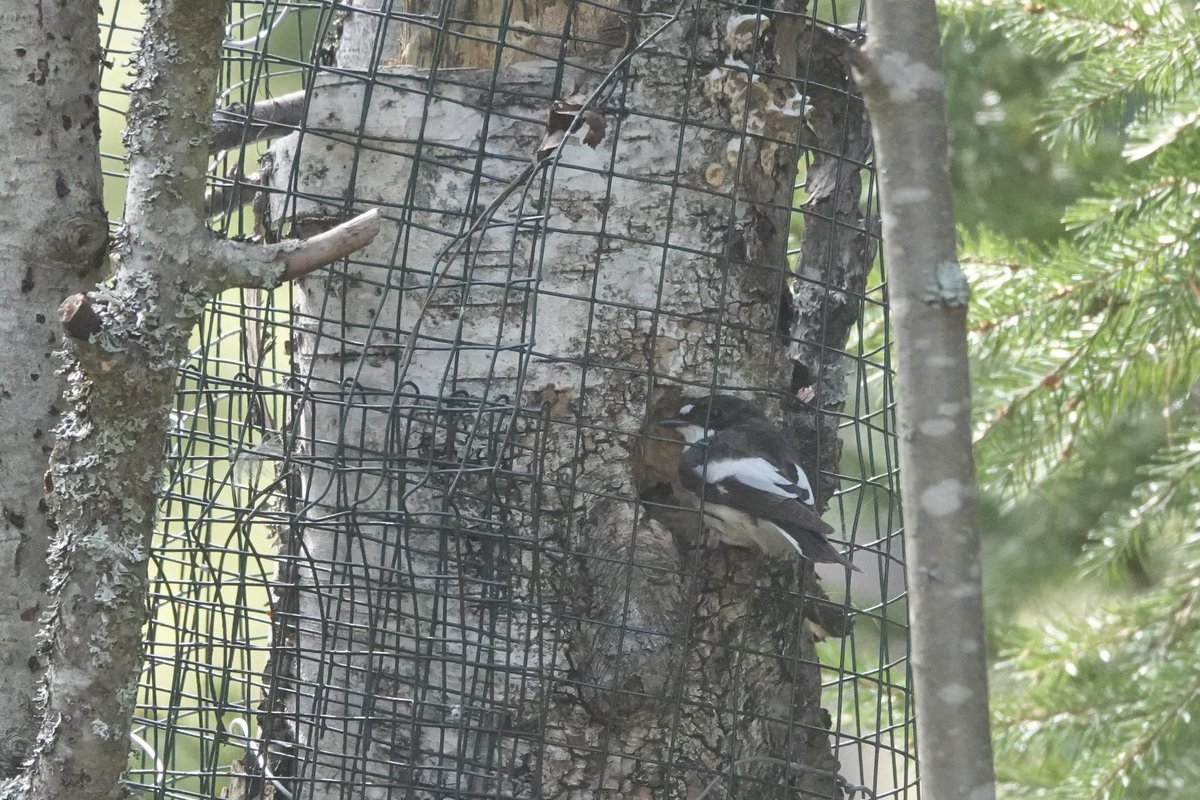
<point>1088,392</point>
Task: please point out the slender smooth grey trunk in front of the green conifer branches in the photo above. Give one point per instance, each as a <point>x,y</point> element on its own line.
<point>902,80</point>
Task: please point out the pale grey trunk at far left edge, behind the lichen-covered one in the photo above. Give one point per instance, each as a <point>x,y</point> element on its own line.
<point>53,243</point>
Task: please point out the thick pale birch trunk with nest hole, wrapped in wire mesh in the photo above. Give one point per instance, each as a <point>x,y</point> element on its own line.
<point>481,603</point>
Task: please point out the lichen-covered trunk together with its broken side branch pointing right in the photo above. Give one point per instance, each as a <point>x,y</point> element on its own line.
<point>129,340</point>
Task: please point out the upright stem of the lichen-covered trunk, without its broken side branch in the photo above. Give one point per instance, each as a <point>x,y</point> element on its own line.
<point>109,458</point>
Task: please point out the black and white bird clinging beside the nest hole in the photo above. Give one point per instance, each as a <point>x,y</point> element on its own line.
<point>746,476</point>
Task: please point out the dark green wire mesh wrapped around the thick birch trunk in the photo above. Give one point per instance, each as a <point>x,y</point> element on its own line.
<point>417,537</point>
